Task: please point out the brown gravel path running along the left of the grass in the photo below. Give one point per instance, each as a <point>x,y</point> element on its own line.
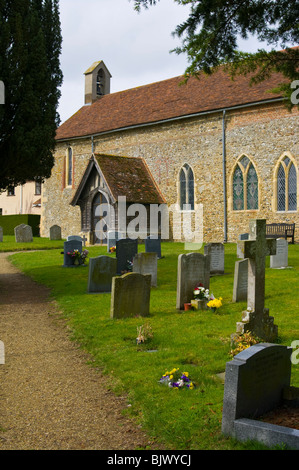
<point>50,399</point>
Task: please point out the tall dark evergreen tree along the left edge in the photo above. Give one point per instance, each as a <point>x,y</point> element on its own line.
<point>30,45</point>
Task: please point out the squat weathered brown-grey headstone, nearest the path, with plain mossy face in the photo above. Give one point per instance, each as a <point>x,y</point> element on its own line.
<point>130,295</point>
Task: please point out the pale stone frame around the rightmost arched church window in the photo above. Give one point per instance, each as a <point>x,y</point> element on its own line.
<point>280,162</point>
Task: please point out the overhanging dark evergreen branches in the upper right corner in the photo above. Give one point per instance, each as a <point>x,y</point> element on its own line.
<point>210,34</point>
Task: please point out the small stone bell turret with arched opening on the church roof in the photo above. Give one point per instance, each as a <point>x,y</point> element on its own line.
<point>97,82</point>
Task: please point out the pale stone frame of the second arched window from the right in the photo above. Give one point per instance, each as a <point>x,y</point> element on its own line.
<point>245,174</point>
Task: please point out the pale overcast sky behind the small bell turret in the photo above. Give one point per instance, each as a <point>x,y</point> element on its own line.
<point>134,46</point>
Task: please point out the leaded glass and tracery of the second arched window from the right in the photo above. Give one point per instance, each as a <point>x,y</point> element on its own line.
<point>245,186</point>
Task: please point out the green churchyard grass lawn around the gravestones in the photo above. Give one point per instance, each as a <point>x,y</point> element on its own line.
<point>193,341</point>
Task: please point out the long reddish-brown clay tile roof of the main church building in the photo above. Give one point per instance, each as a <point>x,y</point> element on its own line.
<point>165,100</point>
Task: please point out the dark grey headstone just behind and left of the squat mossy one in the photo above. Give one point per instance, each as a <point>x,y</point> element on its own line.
<point>101,271</point>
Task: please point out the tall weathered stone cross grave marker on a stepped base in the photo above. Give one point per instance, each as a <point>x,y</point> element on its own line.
<point>256,318</point>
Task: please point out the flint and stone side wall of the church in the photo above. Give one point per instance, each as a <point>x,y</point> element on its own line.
<point>263,133</point>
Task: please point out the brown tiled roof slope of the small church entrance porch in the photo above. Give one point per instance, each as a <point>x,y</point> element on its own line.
<point>130,177</point>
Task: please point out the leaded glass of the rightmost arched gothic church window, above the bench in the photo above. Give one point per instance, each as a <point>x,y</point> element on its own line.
<point>286,185</point>
